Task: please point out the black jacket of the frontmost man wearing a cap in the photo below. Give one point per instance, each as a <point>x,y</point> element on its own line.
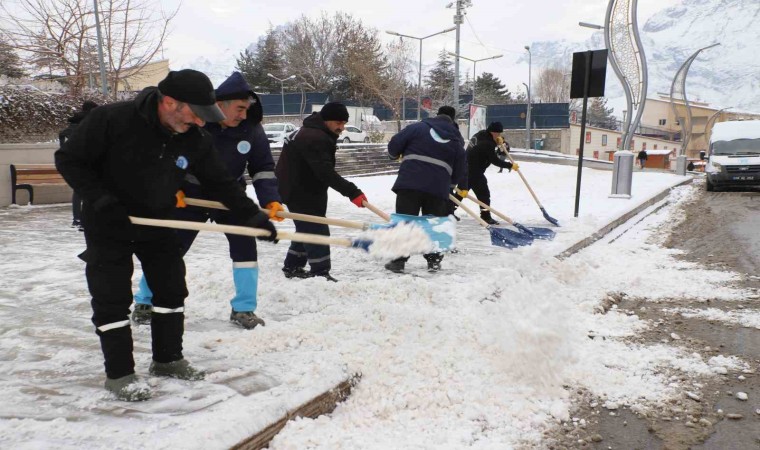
<point>121,150</point>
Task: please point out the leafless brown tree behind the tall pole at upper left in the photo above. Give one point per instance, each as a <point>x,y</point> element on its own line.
<point>58,36</point>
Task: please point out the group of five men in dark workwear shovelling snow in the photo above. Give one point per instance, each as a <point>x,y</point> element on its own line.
<point>132,158</point>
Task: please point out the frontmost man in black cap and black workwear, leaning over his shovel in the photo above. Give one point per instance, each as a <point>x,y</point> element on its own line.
<point>129,159</point>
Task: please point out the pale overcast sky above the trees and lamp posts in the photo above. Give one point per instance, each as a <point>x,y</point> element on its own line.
<point>220,29</point>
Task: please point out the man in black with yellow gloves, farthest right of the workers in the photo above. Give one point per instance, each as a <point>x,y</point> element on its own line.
<point>481,153</point>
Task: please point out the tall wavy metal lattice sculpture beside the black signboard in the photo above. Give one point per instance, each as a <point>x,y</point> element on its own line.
<point>621,35</point>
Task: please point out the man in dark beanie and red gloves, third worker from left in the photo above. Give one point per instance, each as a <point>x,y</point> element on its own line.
<point>305,170</point>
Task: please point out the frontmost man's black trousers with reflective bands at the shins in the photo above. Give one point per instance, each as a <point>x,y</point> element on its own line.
<point>109,278</point>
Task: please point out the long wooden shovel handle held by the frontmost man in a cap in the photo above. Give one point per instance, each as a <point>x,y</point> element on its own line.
<point>243,231</point>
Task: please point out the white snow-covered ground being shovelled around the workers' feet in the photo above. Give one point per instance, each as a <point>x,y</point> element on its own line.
<point>479,355</point>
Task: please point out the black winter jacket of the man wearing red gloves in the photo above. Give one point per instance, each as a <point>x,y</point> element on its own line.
<point>306,167</point>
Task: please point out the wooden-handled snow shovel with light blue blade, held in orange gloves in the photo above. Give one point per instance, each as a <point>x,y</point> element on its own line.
<point>440,230</point>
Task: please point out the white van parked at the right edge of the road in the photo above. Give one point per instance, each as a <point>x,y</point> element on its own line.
<point>734,158</point>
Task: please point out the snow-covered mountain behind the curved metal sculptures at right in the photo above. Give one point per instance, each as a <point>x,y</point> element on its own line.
<point>724,76</point>
